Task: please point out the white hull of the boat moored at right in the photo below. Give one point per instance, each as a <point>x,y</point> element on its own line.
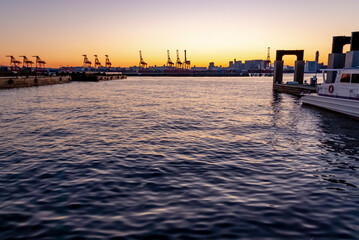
<point>345,106</point>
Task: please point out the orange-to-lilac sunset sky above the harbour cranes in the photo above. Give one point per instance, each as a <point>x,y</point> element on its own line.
<point>60,31</point>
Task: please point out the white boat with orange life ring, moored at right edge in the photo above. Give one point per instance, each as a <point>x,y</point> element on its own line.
<point>340,95</point>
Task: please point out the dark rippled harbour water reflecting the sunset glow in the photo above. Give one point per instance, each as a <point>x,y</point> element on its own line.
<point>175,158</point>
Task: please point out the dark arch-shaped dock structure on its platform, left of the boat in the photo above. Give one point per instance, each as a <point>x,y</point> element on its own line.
<point>296,89</point>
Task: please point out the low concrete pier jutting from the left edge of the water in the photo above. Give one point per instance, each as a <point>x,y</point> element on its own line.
<point>32,81</point>
